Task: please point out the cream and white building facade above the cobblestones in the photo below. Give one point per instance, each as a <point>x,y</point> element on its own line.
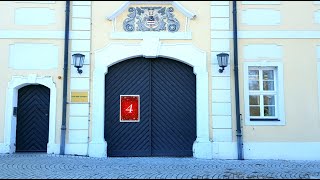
<point>150,84</point>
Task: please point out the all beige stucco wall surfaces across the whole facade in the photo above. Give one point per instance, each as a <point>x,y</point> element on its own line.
<point>299,60</point>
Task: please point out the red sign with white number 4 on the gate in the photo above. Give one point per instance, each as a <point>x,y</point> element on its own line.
<point>129,108</point>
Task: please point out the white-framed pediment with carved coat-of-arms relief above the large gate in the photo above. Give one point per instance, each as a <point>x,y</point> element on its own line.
<point>141,19</point>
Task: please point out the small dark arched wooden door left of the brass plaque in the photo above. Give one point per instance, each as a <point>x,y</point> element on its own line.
<point>33,119</point>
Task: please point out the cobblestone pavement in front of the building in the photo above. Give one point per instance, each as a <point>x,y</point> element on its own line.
<point>47,166</point>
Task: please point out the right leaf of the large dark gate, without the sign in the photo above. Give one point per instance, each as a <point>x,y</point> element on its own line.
<point>173,108</point>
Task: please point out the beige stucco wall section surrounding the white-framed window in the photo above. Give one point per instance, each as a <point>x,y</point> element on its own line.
<point>300,93</point>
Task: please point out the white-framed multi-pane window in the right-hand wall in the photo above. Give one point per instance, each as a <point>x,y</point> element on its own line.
<point>263,91</point>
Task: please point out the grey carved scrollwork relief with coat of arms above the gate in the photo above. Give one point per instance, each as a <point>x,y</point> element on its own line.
<point>151,19</point>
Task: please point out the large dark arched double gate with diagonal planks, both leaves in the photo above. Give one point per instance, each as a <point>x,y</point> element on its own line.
<point>167,90</point>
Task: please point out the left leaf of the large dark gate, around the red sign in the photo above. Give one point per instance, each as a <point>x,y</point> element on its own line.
<point>131,77</point>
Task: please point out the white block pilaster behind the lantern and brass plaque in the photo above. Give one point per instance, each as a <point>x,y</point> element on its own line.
<point>78,123</point>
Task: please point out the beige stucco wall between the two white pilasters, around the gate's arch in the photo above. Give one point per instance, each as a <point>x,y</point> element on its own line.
<point>102,28</point>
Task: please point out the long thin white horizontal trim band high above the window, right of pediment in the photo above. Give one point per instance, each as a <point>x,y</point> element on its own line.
<point>267,34</point>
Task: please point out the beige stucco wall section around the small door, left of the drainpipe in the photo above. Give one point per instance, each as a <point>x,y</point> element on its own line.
<point>7,9</point>
